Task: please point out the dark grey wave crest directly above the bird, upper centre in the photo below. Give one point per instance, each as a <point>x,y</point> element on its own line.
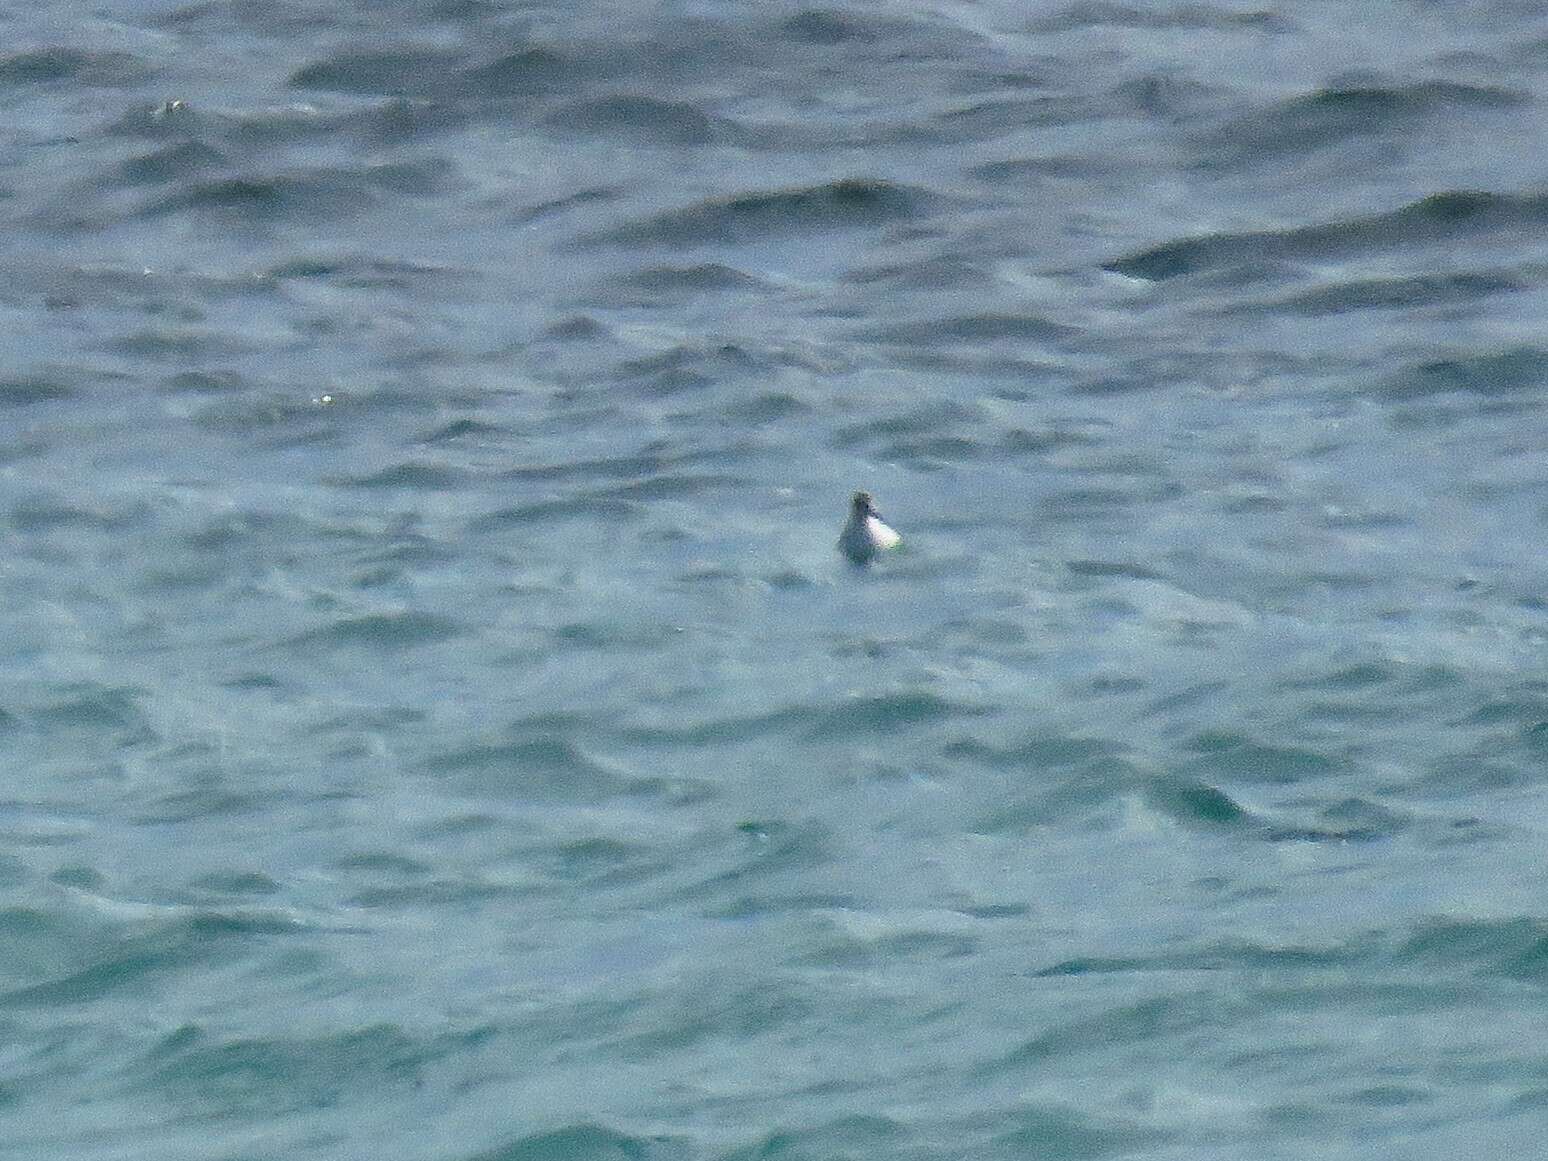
<point>854,204</point>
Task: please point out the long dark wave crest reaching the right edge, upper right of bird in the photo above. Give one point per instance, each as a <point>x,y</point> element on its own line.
<point>1440,217</point>
